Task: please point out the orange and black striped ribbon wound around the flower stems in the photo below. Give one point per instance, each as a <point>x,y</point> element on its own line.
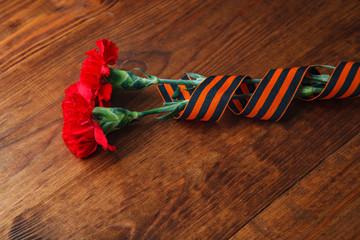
<point>270,98</point>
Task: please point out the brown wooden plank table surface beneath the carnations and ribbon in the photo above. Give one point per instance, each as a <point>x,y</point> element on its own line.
<point>235,179</point>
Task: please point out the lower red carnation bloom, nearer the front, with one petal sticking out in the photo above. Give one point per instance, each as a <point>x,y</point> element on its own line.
<point>80,132</point>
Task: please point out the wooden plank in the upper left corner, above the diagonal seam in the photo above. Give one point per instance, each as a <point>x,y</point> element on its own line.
<point>29,26</point>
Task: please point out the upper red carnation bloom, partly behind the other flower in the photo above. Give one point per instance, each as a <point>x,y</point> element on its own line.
<point>95,67</point>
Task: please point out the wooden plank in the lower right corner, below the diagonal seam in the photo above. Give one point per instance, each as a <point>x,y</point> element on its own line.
<point>323,205</point>
